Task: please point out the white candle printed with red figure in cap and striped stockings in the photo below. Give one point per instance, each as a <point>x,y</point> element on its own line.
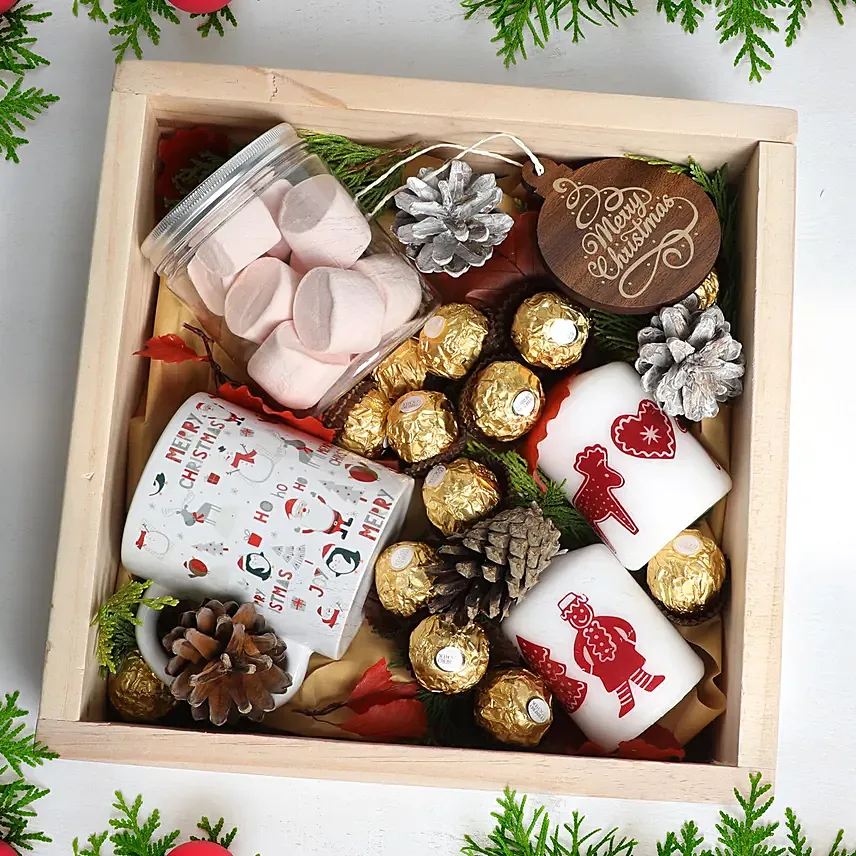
<point>609,655</point>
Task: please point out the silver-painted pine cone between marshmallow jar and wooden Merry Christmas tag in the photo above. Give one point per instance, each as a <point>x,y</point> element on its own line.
<point>450,222</point>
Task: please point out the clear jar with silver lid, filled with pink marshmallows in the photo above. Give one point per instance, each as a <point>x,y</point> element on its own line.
<point>284,271</point>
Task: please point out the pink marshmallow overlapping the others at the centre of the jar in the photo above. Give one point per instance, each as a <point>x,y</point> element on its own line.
<point>338,311</point>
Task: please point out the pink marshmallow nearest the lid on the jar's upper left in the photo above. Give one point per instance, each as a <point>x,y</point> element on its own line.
<point>245,236</point>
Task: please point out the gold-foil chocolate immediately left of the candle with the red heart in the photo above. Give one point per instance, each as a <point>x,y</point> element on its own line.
<point>504,400</point>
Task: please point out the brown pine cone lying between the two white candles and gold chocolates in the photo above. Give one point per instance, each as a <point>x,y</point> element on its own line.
<point>493,565</point>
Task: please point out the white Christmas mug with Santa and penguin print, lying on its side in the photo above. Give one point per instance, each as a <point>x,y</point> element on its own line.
<point>235,507</point>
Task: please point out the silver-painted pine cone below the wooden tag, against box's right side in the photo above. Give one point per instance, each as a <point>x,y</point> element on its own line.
<point>689,362</point>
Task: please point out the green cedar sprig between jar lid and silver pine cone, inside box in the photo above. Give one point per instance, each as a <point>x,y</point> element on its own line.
<point>357,165</point>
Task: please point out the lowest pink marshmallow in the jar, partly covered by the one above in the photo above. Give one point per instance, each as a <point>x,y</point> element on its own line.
<point>293,375</point>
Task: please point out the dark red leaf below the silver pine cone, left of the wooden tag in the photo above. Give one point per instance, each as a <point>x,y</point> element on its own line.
<point>515,259</point>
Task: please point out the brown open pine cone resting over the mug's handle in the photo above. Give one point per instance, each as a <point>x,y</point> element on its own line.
<point>226,661</point>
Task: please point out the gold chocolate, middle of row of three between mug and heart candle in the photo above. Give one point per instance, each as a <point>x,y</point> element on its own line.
<point>420,425</point>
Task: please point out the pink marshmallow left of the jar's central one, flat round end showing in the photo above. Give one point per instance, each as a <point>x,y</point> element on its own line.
<point>261,298</point>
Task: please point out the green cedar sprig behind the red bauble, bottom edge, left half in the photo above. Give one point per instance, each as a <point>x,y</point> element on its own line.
<point>132,835</point>
